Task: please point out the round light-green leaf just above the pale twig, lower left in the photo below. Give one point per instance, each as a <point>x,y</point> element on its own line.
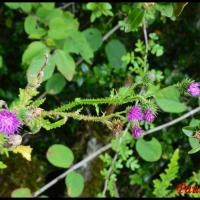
<point>60,156</point>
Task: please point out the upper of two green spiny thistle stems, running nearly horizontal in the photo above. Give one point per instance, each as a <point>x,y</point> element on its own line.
<point>107,100</point>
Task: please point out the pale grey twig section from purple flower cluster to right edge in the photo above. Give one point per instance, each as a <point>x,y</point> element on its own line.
<point>158,128</point>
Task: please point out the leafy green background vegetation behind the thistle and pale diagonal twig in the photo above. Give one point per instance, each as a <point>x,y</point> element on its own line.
<point>104,47</point>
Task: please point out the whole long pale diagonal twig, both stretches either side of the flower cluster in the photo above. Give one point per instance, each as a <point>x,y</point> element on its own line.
<point>105,148</point>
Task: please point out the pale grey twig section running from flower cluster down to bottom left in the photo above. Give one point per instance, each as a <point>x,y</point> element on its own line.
<point>74,167</point>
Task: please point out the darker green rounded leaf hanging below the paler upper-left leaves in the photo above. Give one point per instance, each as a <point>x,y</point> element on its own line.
<point>55,84</point>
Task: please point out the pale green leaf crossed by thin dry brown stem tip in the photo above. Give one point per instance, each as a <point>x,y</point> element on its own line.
<point>35,66</point>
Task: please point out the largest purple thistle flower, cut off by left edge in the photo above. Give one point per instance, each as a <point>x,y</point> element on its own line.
<point>9,123</point>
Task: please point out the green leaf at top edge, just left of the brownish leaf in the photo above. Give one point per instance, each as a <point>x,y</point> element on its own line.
<point>166,9</point>
